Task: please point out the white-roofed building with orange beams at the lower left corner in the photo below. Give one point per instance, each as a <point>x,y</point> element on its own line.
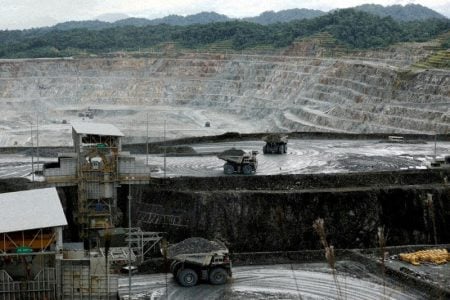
<point>31,237</point>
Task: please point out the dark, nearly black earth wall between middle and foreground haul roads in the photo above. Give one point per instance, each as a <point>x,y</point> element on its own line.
<point>276,213</point>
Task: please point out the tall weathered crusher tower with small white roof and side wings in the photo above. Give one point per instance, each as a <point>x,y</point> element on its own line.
<point>98,166</point>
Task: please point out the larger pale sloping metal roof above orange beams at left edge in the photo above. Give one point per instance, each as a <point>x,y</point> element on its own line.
<point>33,209</point>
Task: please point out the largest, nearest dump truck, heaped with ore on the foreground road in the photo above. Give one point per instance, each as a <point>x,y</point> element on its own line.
<point>197,259</point>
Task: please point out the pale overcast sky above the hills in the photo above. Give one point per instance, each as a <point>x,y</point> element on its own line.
<point>20,14</point>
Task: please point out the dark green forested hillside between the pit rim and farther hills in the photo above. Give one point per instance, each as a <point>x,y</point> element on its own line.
<point>349,27</point>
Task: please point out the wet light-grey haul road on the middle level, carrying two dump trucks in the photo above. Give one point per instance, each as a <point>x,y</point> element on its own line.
<point>303,157</point>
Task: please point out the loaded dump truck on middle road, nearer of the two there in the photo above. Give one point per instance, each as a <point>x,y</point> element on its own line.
<point>239,161</point>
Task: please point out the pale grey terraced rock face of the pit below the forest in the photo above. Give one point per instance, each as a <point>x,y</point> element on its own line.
<point>235,93</point>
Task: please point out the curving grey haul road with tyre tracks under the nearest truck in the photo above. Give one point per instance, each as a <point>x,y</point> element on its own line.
<point>306,281</point>
